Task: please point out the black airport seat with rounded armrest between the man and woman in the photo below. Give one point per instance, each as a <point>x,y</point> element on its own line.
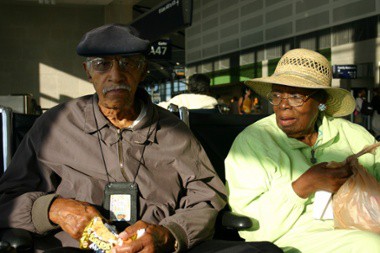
<point>216,133</point>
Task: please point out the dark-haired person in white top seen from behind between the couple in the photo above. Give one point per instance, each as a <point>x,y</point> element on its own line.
<point>198,96</point>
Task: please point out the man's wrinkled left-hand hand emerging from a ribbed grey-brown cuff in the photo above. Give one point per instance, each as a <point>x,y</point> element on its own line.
<point>72,215</point>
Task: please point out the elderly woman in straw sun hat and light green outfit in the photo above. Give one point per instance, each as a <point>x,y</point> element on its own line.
<point>277,164</point>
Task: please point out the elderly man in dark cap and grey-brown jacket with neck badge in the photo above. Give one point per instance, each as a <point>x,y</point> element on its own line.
<point>115,155</point>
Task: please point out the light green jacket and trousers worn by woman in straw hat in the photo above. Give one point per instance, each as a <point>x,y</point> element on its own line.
<point>262,164</point>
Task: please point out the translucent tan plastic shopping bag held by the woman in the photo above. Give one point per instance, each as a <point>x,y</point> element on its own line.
<point>356,205</point>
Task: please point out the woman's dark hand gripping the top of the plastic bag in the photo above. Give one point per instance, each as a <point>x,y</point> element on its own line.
<point>322,176</point>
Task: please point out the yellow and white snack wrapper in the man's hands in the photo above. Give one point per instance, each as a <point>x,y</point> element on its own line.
<point>99,236</point>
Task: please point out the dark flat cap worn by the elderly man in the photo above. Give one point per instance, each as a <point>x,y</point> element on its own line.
<point>112,39</point>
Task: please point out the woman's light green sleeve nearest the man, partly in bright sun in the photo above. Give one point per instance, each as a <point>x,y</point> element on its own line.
<point>256,190</point>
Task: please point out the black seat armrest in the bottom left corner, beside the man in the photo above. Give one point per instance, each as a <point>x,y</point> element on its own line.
<point>19,239</point>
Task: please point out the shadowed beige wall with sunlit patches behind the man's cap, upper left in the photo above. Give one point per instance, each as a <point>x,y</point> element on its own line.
<point>38,48</point>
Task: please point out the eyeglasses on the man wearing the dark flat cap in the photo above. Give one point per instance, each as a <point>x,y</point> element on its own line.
<point>126,64</point>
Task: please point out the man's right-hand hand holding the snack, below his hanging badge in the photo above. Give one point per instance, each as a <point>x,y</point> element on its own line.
<point>155,239</point>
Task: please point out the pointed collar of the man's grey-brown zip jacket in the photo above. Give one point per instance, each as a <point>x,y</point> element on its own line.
<point>144,131</point>
